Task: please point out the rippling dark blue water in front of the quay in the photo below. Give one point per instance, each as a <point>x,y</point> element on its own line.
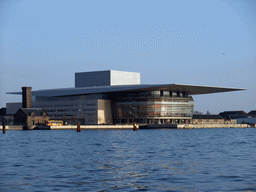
<point>123,160</point>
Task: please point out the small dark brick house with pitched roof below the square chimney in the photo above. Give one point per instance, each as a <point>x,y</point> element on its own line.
<point>28,117</point>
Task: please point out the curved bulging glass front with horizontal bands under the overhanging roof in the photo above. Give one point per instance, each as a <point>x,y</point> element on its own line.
<point>156,107</point>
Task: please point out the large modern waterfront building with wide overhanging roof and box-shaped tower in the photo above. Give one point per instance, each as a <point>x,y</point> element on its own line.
<point>117,97</point>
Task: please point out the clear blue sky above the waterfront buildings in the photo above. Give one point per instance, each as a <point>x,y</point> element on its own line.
<point>201,42</point>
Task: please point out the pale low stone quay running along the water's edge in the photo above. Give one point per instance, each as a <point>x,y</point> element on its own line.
<point>107,127</point>
